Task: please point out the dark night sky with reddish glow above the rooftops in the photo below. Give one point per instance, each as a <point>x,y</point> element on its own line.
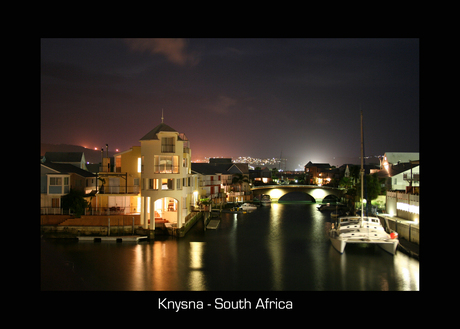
<point>235,97</point>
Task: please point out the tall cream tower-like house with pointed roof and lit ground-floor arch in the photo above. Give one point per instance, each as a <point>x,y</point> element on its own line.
<point>168,189</point>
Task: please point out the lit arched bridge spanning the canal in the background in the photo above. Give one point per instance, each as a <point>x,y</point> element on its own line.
<point>316,193</point>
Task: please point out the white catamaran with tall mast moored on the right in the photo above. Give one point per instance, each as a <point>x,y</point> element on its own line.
<point>362,229</point>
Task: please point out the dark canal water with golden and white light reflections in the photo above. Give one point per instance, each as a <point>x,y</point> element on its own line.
<point>283,247</point>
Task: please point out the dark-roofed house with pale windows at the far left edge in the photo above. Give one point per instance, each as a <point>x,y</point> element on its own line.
<point>56,180</point>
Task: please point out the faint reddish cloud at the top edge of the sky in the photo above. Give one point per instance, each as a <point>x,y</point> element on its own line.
<point>175,50</point>
